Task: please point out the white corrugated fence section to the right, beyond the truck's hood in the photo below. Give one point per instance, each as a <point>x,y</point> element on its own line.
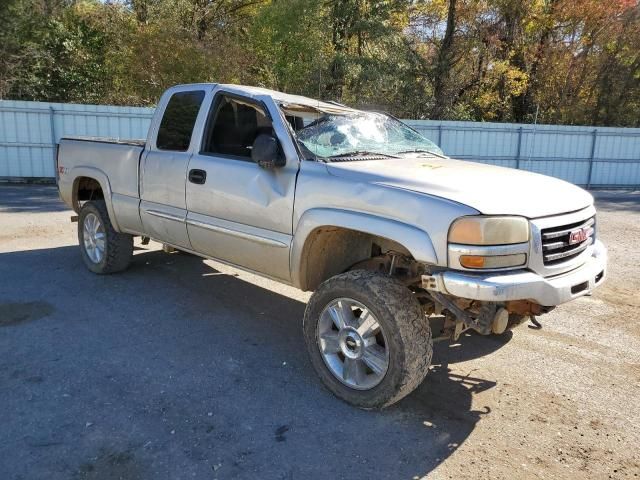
<point>587,156</point>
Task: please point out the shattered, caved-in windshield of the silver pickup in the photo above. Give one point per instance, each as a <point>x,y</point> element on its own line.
<point>362,133</point>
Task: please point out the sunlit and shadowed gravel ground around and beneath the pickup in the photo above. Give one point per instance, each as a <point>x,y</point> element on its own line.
<point>184,368</point>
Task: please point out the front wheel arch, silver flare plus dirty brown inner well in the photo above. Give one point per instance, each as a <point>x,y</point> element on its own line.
<point>329,241</point>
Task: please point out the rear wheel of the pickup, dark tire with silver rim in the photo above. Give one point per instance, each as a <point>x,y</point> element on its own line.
<point>117,248</point>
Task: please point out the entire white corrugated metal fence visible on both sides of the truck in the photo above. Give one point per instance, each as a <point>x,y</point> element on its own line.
<point>596,157</point>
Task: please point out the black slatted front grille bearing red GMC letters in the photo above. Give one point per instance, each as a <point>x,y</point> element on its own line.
<point>563,243</point>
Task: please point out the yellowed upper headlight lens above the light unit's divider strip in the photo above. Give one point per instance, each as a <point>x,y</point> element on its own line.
<point>489,231</point>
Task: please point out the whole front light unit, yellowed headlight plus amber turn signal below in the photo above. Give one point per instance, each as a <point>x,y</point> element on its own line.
<point>489,243</point>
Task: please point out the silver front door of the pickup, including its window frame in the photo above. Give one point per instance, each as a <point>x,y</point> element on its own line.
<point>242,213</point>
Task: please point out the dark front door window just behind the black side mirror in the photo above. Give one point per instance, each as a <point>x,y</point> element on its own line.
<point>233,126</point>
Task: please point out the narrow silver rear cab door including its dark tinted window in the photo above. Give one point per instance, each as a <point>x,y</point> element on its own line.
<point>163,171</point>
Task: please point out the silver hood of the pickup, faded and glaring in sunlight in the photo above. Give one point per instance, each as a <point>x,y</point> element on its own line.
<point>489,189</point>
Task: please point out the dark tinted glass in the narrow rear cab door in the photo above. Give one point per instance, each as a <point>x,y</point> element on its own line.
<point>178,120</point>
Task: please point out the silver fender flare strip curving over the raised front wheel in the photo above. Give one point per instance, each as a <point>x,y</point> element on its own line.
<point>413,239</point>
